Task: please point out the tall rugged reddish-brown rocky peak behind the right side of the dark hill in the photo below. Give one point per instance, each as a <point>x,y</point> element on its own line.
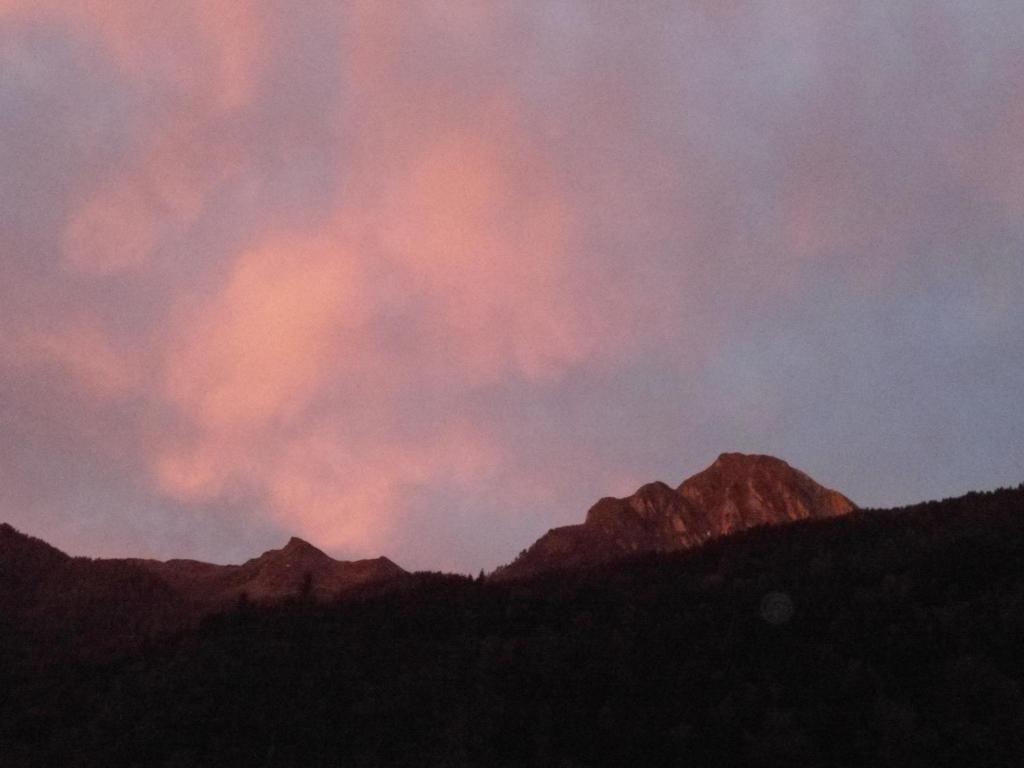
<point>736,493</point>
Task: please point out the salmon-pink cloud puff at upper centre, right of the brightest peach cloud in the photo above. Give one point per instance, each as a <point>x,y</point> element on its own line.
<point>493,249</point>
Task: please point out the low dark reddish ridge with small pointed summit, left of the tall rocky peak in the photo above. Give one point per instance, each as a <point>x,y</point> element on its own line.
<point>100,606</point>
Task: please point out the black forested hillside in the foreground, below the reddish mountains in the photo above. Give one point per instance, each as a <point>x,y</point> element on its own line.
<point>905,648</point>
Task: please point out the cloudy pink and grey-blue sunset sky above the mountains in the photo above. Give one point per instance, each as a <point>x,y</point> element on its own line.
<point>426,279</point>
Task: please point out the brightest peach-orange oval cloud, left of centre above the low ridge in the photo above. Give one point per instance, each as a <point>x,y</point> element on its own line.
<point>259,350</point>
